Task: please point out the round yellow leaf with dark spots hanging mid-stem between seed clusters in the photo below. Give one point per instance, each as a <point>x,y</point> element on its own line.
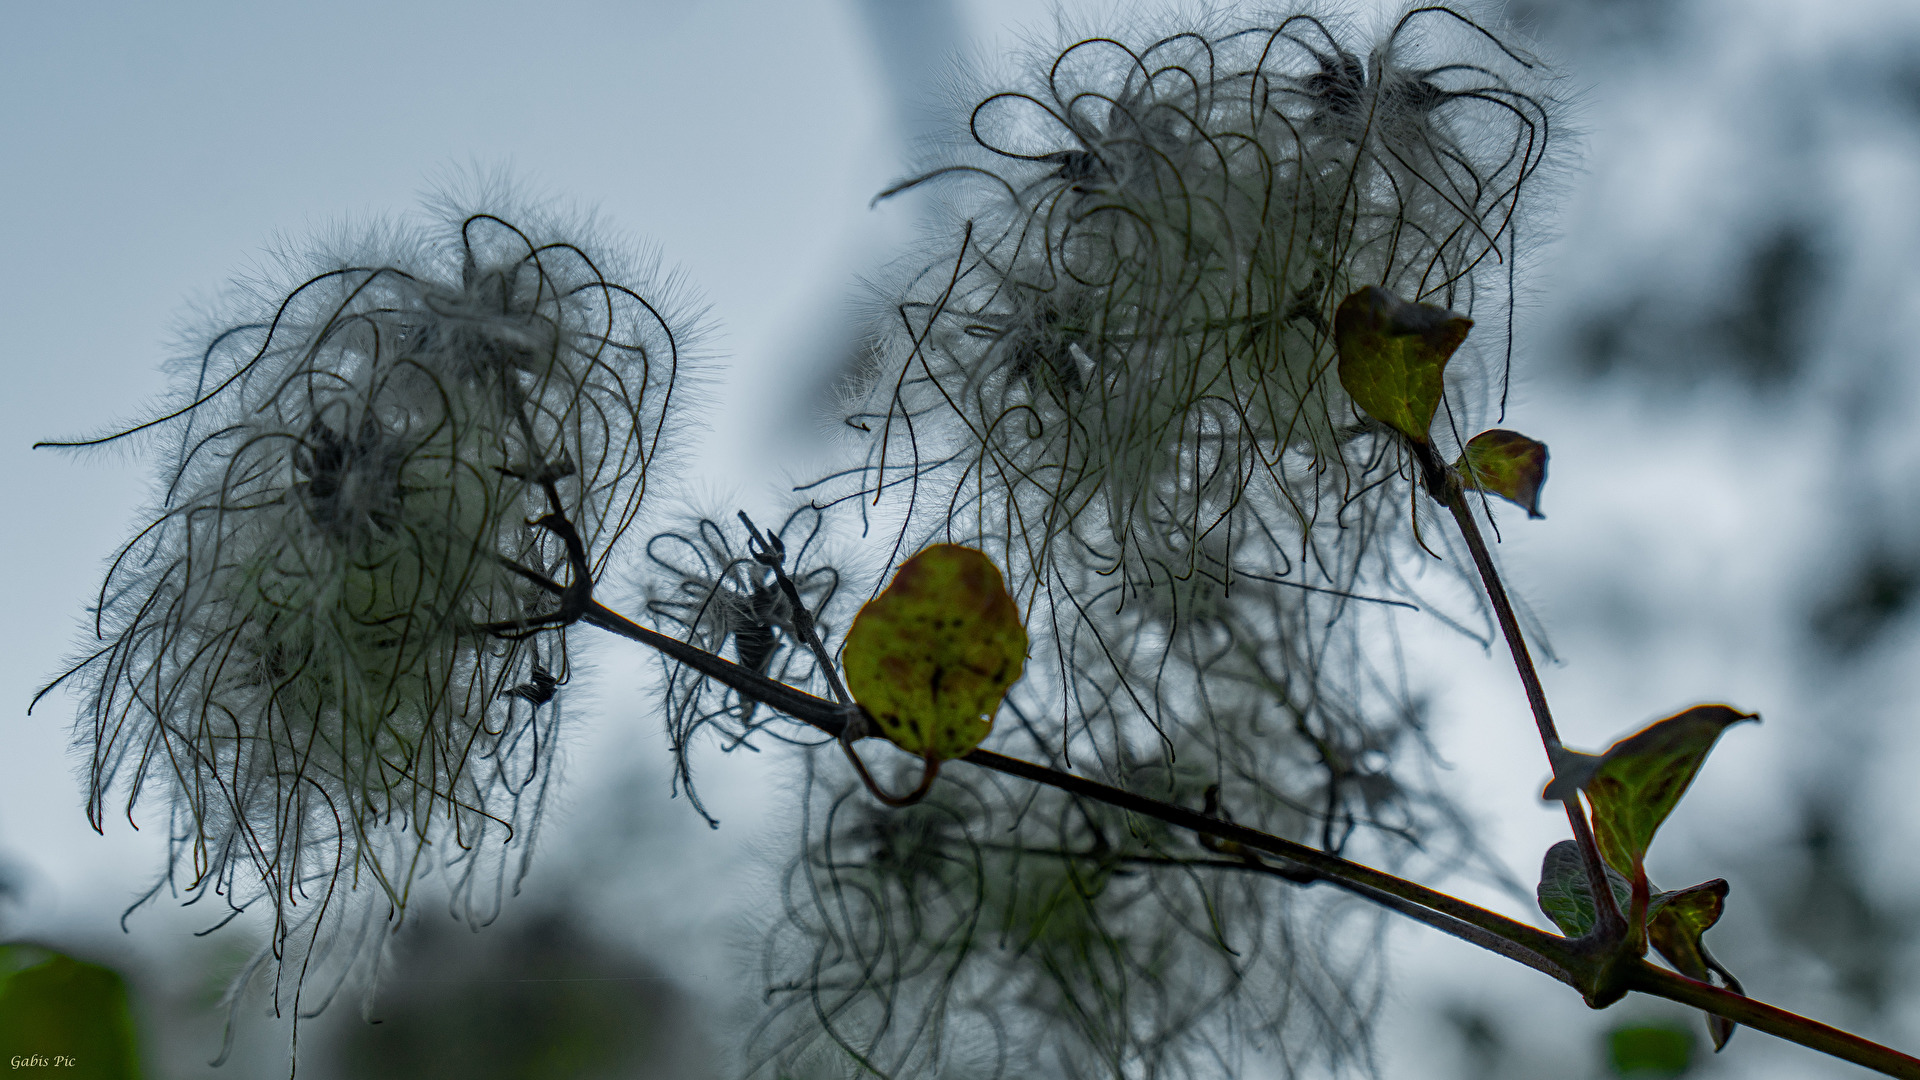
<point>934,654</point>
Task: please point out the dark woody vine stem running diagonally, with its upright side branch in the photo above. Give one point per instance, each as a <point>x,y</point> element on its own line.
<point>1602,966</point>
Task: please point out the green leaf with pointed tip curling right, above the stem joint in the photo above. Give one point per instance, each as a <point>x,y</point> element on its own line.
<point>1639,781</point>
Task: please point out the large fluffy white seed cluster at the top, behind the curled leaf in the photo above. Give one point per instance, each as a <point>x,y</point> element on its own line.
<point>1122,333</point>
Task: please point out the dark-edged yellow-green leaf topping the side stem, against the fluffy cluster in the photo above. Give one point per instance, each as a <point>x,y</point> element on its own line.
<point>1393,356</point>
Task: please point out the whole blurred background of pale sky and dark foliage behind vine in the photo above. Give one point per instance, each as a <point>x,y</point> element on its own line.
<point>1717,345</point>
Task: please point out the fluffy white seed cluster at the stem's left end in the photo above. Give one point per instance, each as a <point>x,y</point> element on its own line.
<point>329,650</point>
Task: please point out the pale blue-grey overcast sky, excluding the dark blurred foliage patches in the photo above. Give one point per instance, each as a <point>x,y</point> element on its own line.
<point>153,153</point>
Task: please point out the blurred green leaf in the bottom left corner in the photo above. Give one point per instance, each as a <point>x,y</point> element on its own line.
<point>64,1018</point>
